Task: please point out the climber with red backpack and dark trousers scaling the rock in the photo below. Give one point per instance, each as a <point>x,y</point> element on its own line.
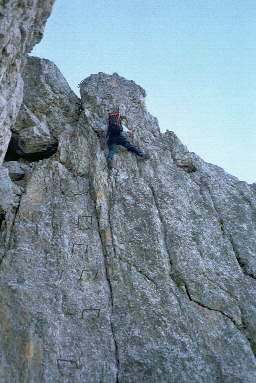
<point>114,131</point>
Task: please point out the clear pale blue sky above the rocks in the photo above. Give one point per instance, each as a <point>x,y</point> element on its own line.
<point>196,60</point>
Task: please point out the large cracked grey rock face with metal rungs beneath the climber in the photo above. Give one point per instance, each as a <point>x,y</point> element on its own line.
<point>142,273</point>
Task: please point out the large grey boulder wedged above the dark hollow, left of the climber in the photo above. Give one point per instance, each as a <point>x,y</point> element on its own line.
<point>49,107</point>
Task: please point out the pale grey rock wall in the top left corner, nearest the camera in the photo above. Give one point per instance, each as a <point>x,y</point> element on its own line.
<point>21,27</point>
